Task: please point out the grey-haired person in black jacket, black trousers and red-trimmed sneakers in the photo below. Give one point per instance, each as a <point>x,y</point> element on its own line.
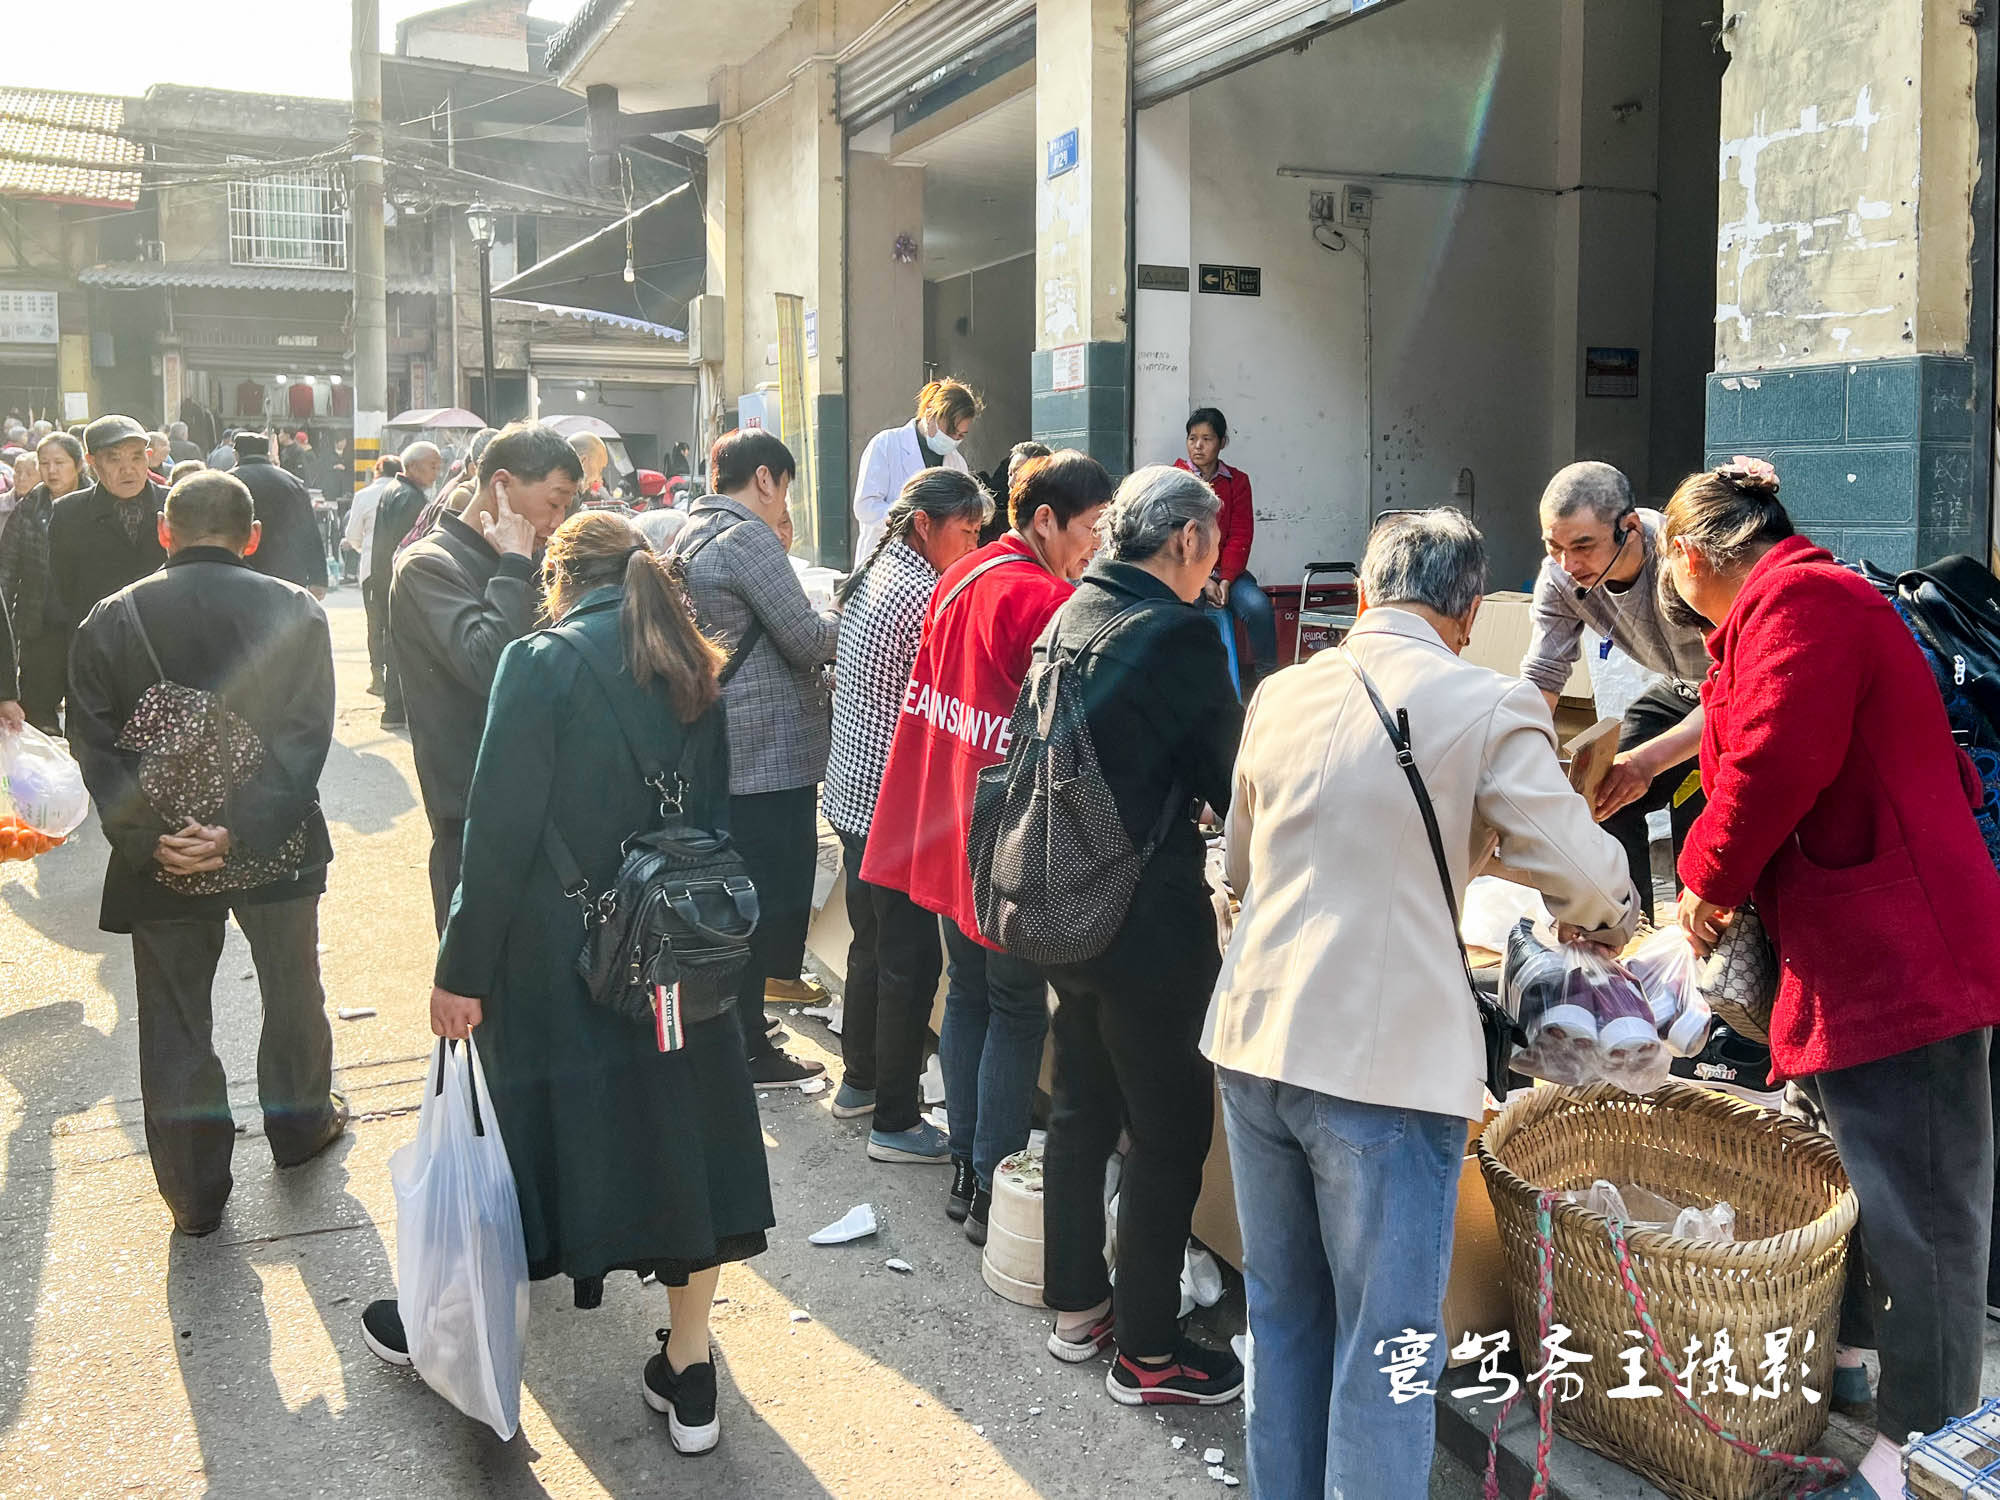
<point>1127,1025</point>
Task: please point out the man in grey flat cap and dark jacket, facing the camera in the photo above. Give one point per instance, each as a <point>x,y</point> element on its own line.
<point>105,537</point>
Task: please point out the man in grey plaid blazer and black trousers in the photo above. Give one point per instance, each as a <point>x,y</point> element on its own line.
<point>749,601</point>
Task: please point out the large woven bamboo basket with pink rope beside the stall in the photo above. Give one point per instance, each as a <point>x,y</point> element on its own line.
<point>1785,1271</point>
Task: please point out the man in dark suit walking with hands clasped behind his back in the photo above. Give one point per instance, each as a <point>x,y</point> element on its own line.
<point>261,647</point>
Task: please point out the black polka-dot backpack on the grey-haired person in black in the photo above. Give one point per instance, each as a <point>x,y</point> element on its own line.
<point>1053,865</point>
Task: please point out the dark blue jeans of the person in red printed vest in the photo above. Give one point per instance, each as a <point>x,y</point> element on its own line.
<point>995,1021</point>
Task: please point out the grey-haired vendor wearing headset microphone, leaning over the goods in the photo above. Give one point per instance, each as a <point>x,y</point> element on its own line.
<point>1603,571</point>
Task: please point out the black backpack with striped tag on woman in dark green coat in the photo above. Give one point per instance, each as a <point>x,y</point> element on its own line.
<point>669,937</point>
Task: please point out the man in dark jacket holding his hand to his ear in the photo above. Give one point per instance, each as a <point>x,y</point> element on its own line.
<point>457,601</point>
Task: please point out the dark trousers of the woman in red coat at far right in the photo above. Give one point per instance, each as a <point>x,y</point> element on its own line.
<point>1917,1139</point>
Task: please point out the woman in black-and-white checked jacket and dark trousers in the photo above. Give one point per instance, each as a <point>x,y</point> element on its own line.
<point>895,957</point>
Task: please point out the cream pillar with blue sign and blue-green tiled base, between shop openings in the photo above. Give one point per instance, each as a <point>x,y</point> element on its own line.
<point>1083,85</point>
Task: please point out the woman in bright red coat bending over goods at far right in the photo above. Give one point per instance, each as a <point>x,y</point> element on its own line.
<point>1839,801</point>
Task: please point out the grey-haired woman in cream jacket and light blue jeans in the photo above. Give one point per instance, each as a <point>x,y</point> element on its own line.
<point>1343,1029</point>
